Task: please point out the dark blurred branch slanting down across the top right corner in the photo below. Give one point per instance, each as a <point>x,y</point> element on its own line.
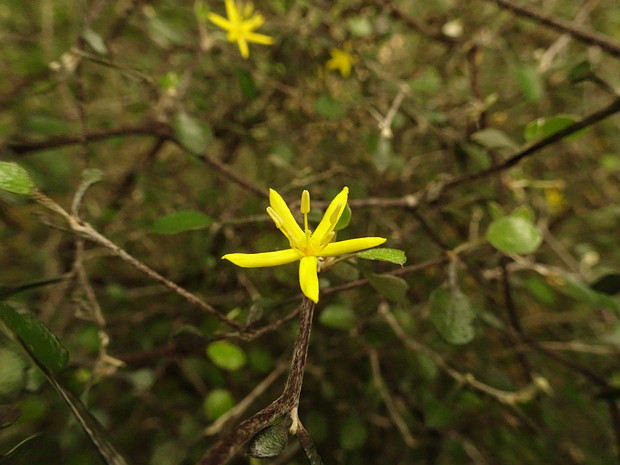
<point>561,25</point>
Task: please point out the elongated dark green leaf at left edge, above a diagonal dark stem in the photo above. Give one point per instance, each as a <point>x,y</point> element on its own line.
<point>34,335</point>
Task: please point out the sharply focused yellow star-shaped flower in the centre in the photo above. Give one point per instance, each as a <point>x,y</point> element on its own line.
<point>306,246</point>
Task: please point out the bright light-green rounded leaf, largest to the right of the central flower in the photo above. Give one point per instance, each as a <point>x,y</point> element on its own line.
<point>514,235</point>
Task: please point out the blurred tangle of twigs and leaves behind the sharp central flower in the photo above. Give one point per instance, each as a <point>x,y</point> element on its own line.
<point>474,352</point>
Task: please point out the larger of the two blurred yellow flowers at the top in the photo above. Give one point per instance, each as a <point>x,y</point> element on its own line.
<point>241,25</point>
